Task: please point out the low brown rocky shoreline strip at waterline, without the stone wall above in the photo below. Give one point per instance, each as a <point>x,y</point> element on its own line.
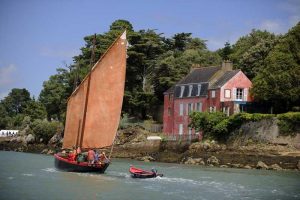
<point>132,143</point>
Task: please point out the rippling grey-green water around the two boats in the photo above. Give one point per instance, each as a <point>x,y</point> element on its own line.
<point>33,176</point>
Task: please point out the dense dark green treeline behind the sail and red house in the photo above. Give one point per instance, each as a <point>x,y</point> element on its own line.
<point>156,62</point>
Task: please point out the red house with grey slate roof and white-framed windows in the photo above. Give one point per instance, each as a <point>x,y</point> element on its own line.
<point>204,89</point>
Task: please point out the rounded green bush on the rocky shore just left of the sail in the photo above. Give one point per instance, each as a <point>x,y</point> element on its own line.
<point>45,130</point>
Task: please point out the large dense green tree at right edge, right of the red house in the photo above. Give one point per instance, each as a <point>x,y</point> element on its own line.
<point>279,81</point>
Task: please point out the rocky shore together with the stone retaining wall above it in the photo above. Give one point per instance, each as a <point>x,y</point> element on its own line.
<point>255,145</point>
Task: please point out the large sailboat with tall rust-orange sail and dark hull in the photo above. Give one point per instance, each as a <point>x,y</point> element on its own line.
<point>94,109</point>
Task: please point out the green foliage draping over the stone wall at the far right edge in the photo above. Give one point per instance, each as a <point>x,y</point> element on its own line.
<point>289,123</point>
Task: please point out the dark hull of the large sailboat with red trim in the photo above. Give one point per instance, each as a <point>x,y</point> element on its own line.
<point>73,166</point>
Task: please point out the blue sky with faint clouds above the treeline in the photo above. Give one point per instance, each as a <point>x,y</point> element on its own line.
<point>39,36</point>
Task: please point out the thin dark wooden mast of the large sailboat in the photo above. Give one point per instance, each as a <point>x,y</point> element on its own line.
<point>88,91</point>
